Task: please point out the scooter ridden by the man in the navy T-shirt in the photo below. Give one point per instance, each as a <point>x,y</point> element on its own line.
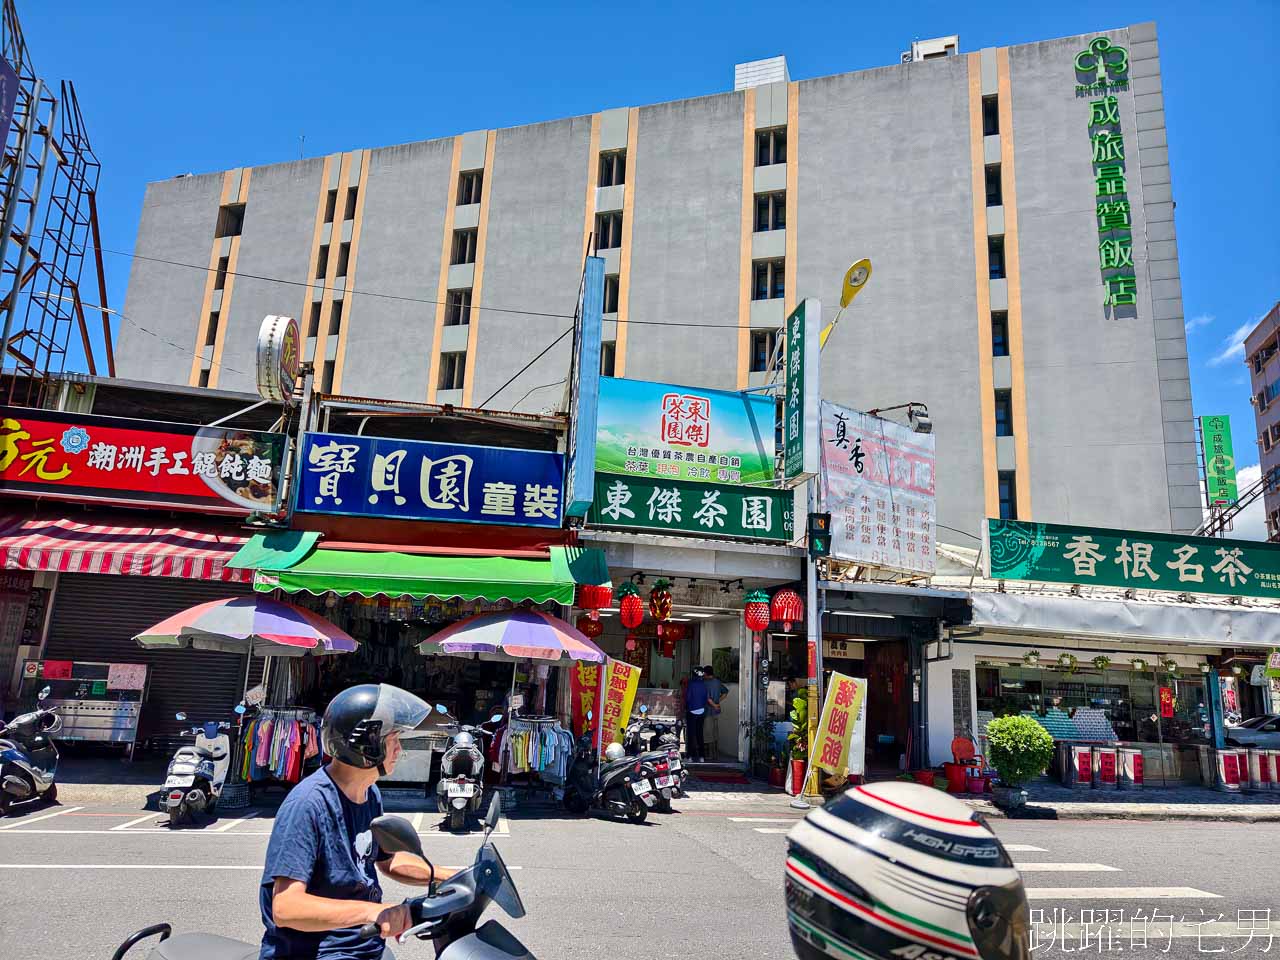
<point>449,916</point>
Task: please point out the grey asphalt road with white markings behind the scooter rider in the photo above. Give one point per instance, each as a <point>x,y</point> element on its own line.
<point>705,883</point>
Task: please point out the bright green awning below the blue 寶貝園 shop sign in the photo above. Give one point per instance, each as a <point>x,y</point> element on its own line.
<point>390,574</point>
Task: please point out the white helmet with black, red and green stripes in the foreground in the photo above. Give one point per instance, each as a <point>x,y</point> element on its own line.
<point>902,872</point>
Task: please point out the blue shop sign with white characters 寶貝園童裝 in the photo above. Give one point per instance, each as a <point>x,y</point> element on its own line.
<point>374,477</point>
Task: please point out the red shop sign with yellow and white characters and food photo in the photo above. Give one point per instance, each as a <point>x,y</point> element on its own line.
<point>116,460</point>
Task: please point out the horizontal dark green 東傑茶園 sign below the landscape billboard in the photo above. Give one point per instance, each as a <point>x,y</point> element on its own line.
<point>682,508</point>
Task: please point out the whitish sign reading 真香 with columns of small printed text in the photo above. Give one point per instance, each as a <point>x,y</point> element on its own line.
<point>877,482</point>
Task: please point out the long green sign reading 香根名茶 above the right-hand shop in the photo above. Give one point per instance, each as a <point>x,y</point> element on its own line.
<point>1128,559</point>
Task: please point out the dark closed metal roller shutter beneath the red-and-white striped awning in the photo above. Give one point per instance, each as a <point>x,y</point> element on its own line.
<point>95,619</point>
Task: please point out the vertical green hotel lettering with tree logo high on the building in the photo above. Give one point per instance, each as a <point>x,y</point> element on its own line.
<point>1105,68</point>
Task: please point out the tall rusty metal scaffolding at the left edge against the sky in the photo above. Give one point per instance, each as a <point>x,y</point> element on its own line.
<point>49,177</point>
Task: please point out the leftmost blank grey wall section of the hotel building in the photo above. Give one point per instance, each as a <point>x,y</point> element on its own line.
<point>177,225</point>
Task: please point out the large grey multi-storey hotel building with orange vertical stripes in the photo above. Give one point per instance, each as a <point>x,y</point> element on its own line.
<point>1016,204</point>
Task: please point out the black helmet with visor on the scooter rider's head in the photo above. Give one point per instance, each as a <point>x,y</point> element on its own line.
<point>360,719</point>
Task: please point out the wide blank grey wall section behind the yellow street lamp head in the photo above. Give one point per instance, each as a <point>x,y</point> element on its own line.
<point>885,173</point>
